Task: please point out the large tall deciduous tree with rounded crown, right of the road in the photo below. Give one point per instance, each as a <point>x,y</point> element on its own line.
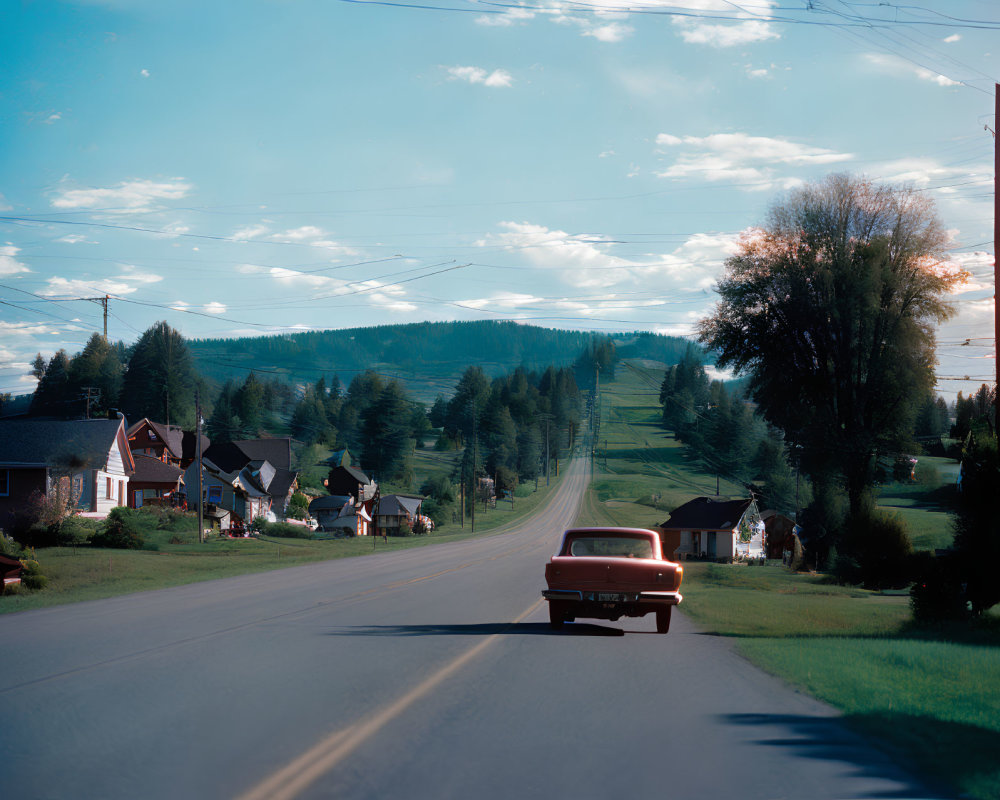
<point>830,309</point>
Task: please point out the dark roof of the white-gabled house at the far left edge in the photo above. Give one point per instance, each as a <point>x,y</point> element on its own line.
<point>74,443</point>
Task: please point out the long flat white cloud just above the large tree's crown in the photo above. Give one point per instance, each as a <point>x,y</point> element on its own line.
<point>737,157</point>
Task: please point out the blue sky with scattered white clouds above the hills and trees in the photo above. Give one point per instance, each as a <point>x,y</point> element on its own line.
<point>286,165</point>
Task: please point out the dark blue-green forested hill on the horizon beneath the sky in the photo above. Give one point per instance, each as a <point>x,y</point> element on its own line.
<point>428,356</point>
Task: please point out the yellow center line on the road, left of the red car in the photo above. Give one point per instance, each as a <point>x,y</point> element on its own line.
<point>299,774</point>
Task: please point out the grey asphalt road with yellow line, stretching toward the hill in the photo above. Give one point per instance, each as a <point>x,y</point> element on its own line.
<point>429,673</point>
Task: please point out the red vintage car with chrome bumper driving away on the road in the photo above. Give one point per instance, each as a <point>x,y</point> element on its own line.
<point>609,573</point>
